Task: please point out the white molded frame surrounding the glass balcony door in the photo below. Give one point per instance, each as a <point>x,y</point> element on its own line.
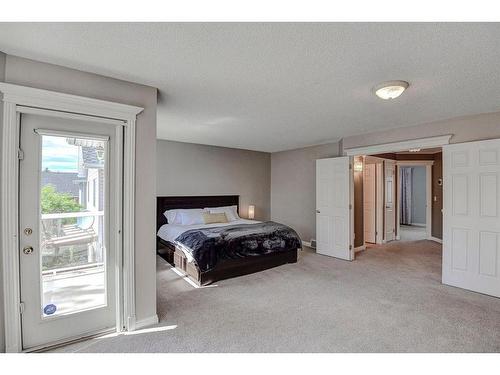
<point>21,99</point>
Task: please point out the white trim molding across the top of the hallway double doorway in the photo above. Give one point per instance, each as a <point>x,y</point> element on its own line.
<point>399,146</point>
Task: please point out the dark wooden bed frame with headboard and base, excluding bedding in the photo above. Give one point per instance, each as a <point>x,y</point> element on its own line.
<point>226,268</point>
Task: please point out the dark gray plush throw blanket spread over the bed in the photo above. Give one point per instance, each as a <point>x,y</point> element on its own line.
<point>209,245</point>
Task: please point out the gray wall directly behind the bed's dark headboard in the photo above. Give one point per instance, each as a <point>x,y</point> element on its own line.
<point>193,169</point>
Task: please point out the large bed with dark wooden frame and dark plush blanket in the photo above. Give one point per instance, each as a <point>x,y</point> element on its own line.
<point>212,259</point>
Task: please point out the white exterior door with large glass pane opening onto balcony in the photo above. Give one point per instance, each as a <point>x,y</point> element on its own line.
<point>67,218</point>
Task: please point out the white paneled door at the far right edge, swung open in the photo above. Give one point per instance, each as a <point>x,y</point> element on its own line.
<point>471,221</point>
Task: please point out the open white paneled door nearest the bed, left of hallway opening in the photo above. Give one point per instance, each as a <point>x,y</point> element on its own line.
<point>333,194</point>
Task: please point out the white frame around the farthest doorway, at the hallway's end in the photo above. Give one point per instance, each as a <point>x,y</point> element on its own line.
<point>428,194</point>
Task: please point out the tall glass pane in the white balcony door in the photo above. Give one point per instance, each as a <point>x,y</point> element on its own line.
<point>72,224</point>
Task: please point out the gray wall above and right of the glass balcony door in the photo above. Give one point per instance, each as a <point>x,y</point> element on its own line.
<point>52,77</point>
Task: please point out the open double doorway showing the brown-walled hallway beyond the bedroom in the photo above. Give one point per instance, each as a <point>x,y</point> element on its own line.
<point>398,197</point>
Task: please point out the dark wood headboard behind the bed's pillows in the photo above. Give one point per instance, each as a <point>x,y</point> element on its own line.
<point>170,203</point>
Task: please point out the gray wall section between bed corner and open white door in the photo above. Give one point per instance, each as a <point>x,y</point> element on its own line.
<point>293,187</point>
